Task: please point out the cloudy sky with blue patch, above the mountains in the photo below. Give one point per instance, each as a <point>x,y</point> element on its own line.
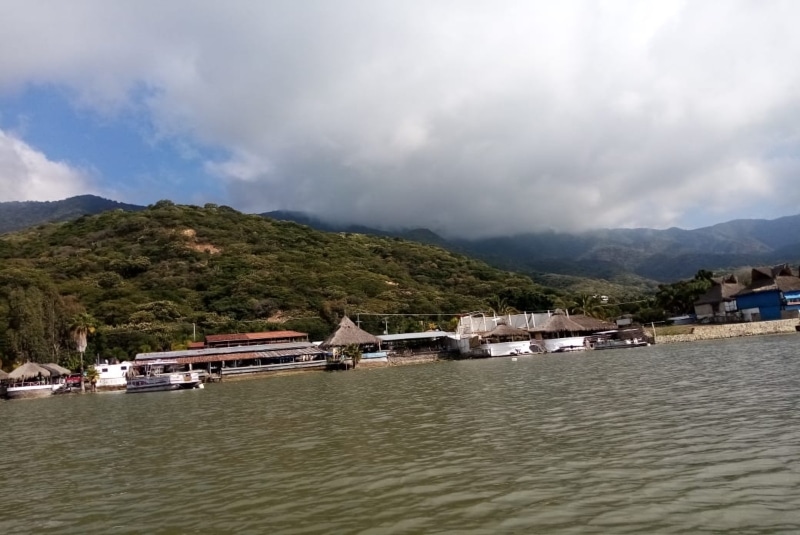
<point>470,118</point>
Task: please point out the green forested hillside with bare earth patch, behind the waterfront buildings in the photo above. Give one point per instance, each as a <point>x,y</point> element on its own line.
<point>152,278</point>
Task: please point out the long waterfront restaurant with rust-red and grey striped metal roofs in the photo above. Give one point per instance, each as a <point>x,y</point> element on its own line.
<point>229,355</point>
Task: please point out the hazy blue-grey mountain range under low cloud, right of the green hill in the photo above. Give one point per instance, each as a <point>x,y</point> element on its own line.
<point>631,255</point>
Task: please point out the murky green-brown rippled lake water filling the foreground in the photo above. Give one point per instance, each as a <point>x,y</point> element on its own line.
<point>684,438</point>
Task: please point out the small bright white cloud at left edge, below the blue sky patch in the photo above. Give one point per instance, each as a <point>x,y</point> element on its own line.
<point>27,175</point>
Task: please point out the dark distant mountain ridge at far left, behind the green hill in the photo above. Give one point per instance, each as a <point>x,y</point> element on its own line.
<point>20,215</point>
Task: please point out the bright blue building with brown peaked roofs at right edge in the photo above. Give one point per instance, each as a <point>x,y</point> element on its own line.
<point>770,292</point>
